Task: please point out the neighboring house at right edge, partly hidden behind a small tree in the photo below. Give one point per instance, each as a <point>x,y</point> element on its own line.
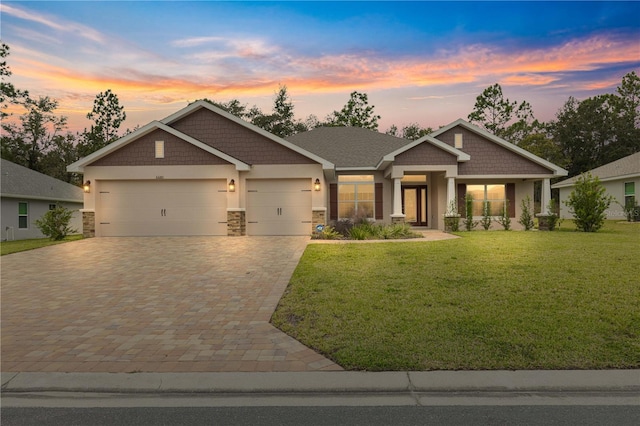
<point>621,179</point>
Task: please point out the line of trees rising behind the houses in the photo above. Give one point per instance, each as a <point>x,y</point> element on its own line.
<point>584,135</point>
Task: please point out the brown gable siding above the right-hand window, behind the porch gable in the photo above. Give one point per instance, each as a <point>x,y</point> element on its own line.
<point>489,158</point>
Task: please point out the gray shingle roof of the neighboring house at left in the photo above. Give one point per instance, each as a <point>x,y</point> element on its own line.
<point>19,181</point>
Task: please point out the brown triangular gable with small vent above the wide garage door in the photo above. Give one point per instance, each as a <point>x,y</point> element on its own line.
<point>141,152</point>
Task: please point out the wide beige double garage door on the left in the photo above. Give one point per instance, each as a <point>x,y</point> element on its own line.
<point>162,207</point>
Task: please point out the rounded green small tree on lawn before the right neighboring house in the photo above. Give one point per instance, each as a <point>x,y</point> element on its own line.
<point>588,203</point>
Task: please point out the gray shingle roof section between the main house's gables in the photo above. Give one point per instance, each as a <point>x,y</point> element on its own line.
<point>348,146</point>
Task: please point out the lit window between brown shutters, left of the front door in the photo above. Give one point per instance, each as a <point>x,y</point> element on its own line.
<point>356,196</point>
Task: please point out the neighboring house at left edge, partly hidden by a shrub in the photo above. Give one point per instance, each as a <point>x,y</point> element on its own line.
<point>27,195</point>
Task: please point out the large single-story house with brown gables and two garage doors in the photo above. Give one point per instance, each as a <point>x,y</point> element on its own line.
<point>203,171</point>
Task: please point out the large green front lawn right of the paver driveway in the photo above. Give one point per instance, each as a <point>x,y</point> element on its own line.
<point>489,300</point>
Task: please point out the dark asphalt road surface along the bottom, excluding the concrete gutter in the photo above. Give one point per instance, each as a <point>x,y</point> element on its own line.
<point>309,416</point>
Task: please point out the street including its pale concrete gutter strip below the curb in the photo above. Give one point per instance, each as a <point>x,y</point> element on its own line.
<point>559,408</point>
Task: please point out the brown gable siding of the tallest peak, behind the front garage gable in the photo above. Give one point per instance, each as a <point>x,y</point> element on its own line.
<point>235,140</point>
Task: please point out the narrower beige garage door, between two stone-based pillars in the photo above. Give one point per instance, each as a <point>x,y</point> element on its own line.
<point>279,207</point>
